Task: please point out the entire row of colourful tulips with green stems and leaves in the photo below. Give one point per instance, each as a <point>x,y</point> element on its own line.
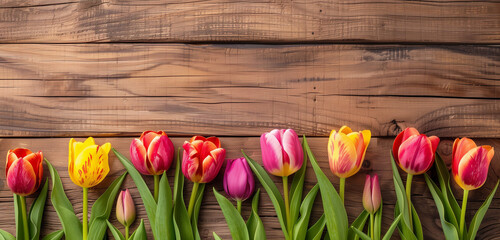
<point>283,155</point>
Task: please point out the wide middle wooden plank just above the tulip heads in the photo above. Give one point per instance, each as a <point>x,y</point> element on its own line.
<point>242,90</point>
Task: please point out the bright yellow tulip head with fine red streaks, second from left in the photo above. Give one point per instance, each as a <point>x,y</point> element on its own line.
<point>88,162</point>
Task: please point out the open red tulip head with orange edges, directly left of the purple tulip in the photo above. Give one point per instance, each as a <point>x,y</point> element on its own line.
<point>202,158</point>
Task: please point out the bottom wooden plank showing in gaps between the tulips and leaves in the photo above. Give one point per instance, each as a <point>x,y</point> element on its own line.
<point>377,161</point>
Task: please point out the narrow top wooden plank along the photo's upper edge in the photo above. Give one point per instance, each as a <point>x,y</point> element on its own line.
<point>62,21</point>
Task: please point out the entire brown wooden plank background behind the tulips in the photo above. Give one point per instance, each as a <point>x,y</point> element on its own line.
<point>234,69</point>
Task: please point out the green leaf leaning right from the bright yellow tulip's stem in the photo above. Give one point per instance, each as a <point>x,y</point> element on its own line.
<point>102,209</point>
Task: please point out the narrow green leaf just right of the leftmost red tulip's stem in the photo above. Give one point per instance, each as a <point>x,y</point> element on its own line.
<point>36,212</point>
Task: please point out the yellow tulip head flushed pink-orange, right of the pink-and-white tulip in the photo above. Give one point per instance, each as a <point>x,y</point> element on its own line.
<point>346,151</point>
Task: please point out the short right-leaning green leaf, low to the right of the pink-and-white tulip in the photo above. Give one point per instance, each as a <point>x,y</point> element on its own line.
<point>300,228</point>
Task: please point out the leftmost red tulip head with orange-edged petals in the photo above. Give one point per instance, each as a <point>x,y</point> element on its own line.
<point>23,171</point>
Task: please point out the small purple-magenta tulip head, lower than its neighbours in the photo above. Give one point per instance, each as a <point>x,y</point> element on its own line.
<point>238,179</point>
